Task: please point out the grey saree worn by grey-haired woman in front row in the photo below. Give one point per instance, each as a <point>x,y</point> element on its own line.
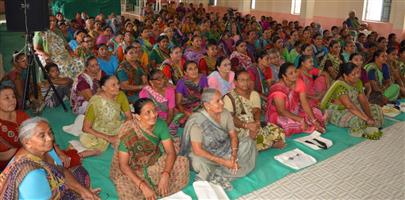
<point>216,141</point>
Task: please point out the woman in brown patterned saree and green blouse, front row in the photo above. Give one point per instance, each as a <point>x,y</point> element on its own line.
<point>139,168</point>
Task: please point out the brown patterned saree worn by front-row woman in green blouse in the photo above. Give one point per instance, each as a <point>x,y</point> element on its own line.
<point>148,164</point>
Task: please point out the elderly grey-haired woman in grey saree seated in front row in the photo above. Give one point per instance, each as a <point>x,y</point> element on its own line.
<point>211,142</point>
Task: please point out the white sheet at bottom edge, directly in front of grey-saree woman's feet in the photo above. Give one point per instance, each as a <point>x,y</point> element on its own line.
<point>208,191</point>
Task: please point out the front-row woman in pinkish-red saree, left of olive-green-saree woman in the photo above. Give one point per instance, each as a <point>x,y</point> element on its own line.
<point>288,106</point>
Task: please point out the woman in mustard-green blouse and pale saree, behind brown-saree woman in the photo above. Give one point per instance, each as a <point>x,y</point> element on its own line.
<point>103,116</point>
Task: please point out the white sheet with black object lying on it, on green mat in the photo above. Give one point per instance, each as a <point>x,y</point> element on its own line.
<point>315,141</point>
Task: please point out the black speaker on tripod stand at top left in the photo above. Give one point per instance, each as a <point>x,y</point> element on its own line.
<point>27,15</point>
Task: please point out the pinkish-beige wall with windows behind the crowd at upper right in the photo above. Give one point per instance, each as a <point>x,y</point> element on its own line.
<point>325,12</point>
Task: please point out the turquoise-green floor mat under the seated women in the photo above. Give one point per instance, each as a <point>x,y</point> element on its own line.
<point>267,171</point>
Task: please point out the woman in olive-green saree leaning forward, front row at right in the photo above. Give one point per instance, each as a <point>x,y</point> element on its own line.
<point>347,106</point>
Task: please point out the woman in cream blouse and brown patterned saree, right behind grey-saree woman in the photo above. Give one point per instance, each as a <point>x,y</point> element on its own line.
<point>244,104</point>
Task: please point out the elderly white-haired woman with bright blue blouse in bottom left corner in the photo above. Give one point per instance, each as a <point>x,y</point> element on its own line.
<point>37,164</point>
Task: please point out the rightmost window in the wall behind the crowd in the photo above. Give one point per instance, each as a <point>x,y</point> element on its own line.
<point>377,10</point>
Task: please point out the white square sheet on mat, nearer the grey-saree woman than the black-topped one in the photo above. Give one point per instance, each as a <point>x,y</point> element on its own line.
<point>295,159</point>
